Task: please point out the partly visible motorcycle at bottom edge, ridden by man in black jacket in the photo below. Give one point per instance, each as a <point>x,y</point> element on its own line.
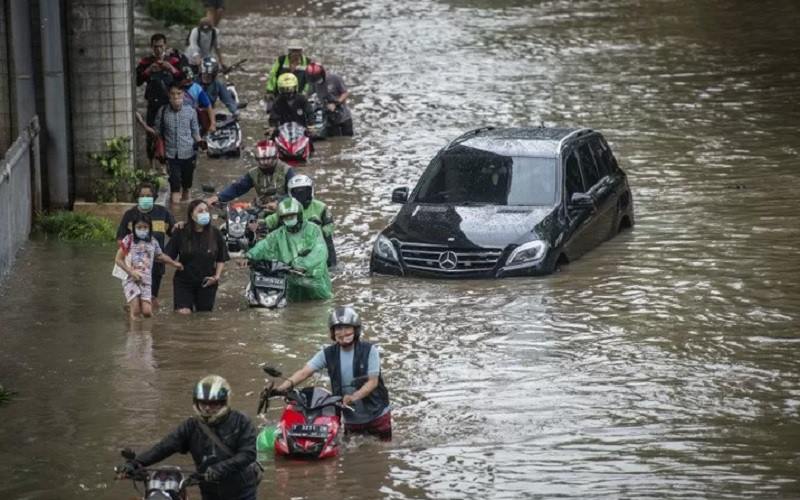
<point>160,483</point>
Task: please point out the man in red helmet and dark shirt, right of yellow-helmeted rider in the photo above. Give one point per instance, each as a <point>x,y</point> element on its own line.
<point>331,91</point>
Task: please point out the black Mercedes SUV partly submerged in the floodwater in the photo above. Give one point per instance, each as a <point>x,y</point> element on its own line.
<point>507,202</point>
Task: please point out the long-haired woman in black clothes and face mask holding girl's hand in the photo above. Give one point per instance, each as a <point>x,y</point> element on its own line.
<point>203,252</point>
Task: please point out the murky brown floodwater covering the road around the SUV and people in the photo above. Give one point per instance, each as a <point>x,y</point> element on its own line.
<point>661,365</point>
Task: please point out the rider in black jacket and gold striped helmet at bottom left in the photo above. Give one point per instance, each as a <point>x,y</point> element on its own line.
<point>227,474</point>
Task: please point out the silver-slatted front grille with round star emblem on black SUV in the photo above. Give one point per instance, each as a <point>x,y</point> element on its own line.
<point>443,259</point>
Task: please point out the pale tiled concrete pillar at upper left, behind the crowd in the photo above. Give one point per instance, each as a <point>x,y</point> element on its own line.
<point>99,41</point>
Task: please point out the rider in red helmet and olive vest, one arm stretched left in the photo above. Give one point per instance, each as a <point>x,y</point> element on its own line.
<point>269,179</point>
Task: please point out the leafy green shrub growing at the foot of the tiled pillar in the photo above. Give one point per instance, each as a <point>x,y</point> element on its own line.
<point>121,179</point>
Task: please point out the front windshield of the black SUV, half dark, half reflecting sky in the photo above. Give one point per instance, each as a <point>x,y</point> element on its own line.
<point>472,176</point>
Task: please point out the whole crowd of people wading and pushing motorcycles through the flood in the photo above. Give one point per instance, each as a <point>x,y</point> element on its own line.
<point>181,90</point>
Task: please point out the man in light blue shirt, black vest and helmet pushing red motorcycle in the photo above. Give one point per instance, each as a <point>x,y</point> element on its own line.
<point>354,368</point>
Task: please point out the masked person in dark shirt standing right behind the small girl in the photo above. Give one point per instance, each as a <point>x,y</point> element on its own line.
<point>162,222</point>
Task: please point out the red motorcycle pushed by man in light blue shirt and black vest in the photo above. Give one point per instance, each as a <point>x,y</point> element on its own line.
<point>310,426</point>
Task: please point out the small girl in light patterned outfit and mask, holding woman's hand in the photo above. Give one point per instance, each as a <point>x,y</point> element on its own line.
<point>136,256</point>
